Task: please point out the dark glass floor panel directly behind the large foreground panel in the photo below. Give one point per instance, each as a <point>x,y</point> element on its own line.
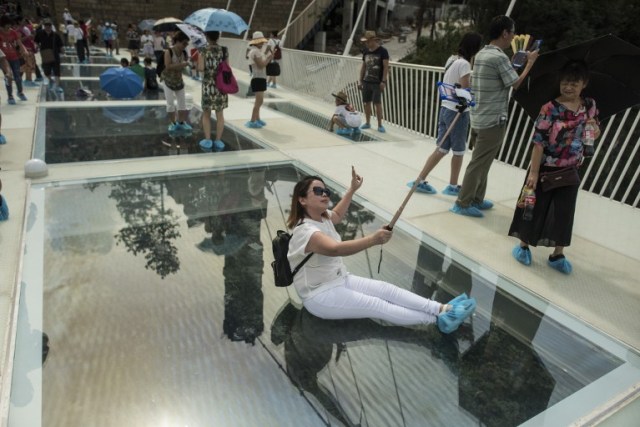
<point>108,132</point>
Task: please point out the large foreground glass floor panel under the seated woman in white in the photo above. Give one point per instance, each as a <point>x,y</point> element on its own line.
<point>156,298</point>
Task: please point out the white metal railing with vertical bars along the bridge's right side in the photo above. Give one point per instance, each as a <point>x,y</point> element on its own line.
<point>411,102</point>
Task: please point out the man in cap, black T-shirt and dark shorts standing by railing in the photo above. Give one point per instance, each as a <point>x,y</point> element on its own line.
<point>373,77</point>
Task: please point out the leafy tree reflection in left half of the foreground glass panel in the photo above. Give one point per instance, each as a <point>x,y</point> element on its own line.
<point>151,226</point>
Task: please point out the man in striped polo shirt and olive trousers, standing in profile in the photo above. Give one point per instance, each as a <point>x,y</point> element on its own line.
<point>491,78</point>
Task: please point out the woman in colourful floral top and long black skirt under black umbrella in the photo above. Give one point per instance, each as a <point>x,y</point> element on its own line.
<point>561,130</point>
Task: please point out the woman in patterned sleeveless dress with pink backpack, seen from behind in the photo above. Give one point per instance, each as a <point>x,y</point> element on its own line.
<point>210,57</point>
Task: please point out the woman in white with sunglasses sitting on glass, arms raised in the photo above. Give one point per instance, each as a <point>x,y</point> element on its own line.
<point>326,288</point>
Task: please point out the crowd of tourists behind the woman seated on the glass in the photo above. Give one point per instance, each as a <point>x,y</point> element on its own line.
<point>168,56</point>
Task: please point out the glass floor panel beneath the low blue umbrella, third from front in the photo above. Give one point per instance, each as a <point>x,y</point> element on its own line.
<point>72,92</point>
